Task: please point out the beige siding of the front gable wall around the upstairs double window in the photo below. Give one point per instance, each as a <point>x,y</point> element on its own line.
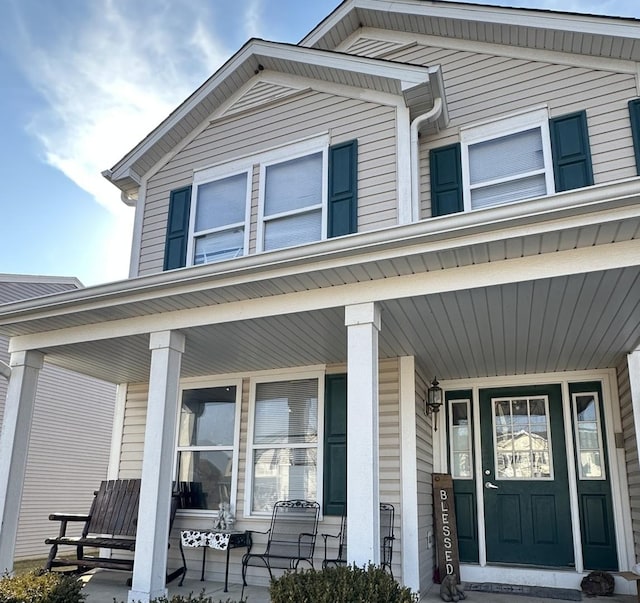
<point>287,121</point>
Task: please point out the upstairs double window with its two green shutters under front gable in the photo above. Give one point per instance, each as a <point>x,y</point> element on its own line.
<point>306,192</point>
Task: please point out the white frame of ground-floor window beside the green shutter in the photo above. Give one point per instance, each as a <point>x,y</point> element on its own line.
<point>293,375</point>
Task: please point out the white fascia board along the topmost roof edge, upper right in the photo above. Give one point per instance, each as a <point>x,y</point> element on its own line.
<point>561,21</point>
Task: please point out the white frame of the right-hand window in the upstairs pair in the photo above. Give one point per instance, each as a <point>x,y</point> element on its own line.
<point>288,154</point>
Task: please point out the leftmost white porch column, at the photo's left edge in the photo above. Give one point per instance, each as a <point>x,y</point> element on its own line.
<point>14,445</point>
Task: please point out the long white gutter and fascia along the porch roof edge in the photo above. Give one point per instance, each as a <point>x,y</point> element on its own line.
<point>595,204</point>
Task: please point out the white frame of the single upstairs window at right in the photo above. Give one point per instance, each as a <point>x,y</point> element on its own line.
<point>499,128</point>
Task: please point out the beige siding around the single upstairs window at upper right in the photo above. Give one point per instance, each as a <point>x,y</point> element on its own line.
<point>482,86</point>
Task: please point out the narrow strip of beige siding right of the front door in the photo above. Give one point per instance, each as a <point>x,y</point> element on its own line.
<point>630,450</point>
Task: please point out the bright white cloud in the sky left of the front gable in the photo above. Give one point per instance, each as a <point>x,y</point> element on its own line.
<point>109,80</point>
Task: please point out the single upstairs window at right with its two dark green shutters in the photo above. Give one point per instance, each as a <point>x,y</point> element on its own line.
<point>519,157</point>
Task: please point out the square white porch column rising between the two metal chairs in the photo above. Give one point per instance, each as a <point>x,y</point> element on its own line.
<point>363,479</point>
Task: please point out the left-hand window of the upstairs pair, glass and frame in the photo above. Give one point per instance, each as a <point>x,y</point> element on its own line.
<point>220,218</point>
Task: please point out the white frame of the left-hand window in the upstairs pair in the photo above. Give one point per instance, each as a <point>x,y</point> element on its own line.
<point>206,177</point>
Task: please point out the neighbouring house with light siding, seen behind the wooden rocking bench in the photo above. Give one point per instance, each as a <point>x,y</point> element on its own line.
<point>70,437</point>
